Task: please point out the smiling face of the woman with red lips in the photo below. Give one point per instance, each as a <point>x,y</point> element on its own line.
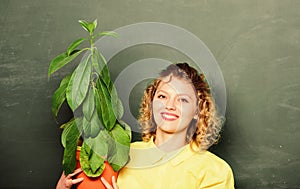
<point>174,105</point>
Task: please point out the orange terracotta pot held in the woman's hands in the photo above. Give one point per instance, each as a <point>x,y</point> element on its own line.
<point>95,183</point>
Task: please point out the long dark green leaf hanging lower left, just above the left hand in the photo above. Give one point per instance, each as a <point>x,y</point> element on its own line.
<point>71,138</point>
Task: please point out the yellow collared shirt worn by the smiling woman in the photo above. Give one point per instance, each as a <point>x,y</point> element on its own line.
<point>149,167</point>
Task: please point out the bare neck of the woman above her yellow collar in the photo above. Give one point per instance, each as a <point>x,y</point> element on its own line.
<point>170,142</point>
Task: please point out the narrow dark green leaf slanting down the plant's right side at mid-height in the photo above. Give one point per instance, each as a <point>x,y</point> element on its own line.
<point>107,114</point>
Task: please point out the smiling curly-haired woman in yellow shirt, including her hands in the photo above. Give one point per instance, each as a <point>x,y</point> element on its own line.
<point>179,123</point>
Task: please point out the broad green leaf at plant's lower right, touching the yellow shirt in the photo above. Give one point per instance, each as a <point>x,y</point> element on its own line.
<point>119,148</point>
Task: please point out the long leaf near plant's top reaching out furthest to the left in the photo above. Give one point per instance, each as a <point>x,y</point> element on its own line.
<point>61,60</point>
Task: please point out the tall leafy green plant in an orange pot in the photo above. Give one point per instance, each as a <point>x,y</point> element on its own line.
<point>95,134</point>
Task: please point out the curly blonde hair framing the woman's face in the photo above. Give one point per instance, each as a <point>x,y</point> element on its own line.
<point>203,131</point>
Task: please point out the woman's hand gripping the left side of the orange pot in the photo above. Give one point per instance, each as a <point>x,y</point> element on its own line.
<point>66,182</point>
